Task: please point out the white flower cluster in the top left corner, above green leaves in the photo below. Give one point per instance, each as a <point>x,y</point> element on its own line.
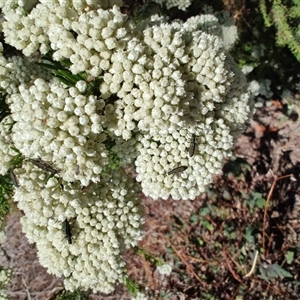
<point>85,34</point>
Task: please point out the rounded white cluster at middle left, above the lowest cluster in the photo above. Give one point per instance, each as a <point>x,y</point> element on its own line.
<point>62,126</point>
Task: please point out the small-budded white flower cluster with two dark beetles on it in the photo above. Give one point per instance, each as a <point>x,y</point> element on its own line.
<point>161,156</point>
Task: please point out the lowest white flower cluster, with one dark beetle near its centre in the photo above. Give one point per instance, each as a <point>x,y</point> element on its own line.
<point>104,220</point>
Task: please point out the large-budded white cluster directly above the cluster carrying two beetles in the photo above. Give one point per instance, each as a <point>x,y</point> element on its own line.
<point>160,91</point>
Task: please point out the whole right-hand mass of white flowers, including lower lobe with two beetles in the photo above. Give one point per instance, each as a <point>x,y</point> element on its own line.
<point>180,90</point>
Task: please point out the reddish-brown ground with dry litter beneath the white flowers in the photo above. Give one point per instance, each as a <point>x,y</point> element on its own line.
<point>270,146</point>
